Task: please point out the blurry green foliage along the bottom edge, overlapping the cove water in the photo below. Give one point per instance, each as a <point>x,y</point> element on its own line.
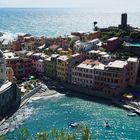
<point>81,132</point>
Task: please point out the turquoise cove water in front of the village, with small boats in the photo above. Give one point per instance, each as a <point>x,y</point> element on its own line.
<point>57,111</point>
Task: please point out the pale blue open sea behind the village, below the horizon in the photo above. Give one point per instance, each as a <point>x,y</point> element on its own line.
<point>56,22</point>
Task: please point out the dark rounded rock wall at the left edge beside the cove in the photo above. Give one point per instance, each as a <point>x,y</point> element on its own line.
<point>9,100</point>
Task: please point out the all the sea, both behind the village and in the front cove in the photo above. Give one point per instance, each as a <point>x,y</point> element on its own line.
<point>56,112</point>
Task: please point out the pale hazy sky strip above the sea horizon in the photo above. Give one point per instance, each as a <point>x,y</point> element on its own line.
<point>107,5</point>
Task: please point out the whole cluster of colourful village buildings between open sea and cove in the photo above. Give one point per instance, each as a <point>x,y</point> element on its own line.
<point>79,59</point>
